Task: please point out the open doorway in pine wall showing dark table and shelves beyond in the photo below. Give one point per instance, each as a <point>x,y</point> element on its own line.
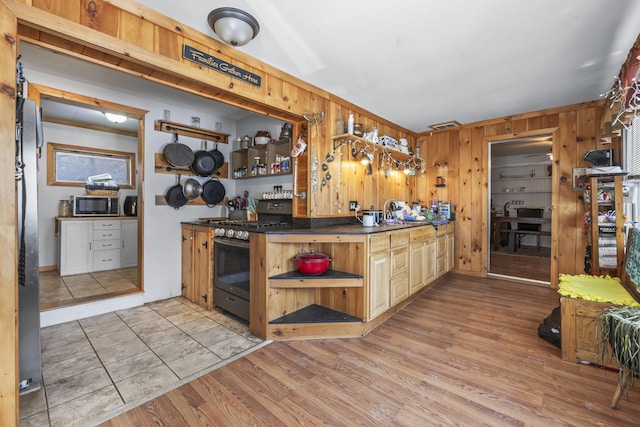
<point>520,172</point>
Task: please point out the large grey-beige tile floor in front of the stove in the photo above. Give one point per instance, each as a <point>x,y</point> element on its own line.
<point>96,368</point>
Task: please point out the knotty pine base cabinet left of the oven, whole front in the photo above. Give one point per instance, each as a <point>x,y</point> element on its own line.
<point>197,264</point>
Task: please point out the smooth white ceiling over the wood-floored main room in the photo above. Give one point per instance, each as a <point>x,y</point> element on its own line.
<point>420,62</point>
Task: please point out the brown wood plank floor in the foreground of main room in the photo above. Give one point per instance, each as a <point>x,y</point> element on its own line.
<point>465,353</point>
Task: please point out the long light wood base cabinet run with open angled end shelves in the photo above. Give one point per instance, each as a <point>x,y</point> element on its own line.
<point>371,277</point>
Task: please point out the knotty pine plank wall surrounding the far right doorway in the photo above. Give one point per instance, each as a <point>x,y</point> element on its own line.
<point>462,154</point>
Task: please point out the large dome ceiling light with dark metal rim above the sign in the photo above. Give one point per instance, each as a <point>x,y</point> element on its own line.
<point>235,27</point>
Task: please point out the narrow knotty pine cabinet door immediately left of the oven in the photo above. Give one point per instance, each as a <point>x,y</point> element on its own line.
<point>202,269</point>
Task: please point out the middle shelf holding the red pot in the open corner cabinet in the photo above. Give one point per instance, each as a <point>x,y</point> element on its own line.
<point>329,279</point>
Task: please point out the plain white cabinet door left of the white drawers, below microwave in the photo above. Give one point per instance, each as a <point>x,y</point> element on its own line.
<point>75,247</point>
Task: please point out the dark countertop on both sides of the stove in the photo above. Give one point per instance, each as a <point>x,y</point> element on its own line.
<point>336,229</point>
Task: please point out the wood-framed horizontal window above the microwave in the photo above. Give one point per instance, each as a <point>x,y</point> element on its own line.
<point>71,165</point>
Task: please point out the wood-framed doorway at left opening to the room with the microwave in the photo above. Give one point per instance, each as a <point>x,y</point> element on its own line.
<point>80,122</point>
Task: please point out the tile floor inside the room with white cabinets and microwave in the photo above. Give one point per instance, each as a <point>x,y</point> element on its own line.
<point>58,290</point>
